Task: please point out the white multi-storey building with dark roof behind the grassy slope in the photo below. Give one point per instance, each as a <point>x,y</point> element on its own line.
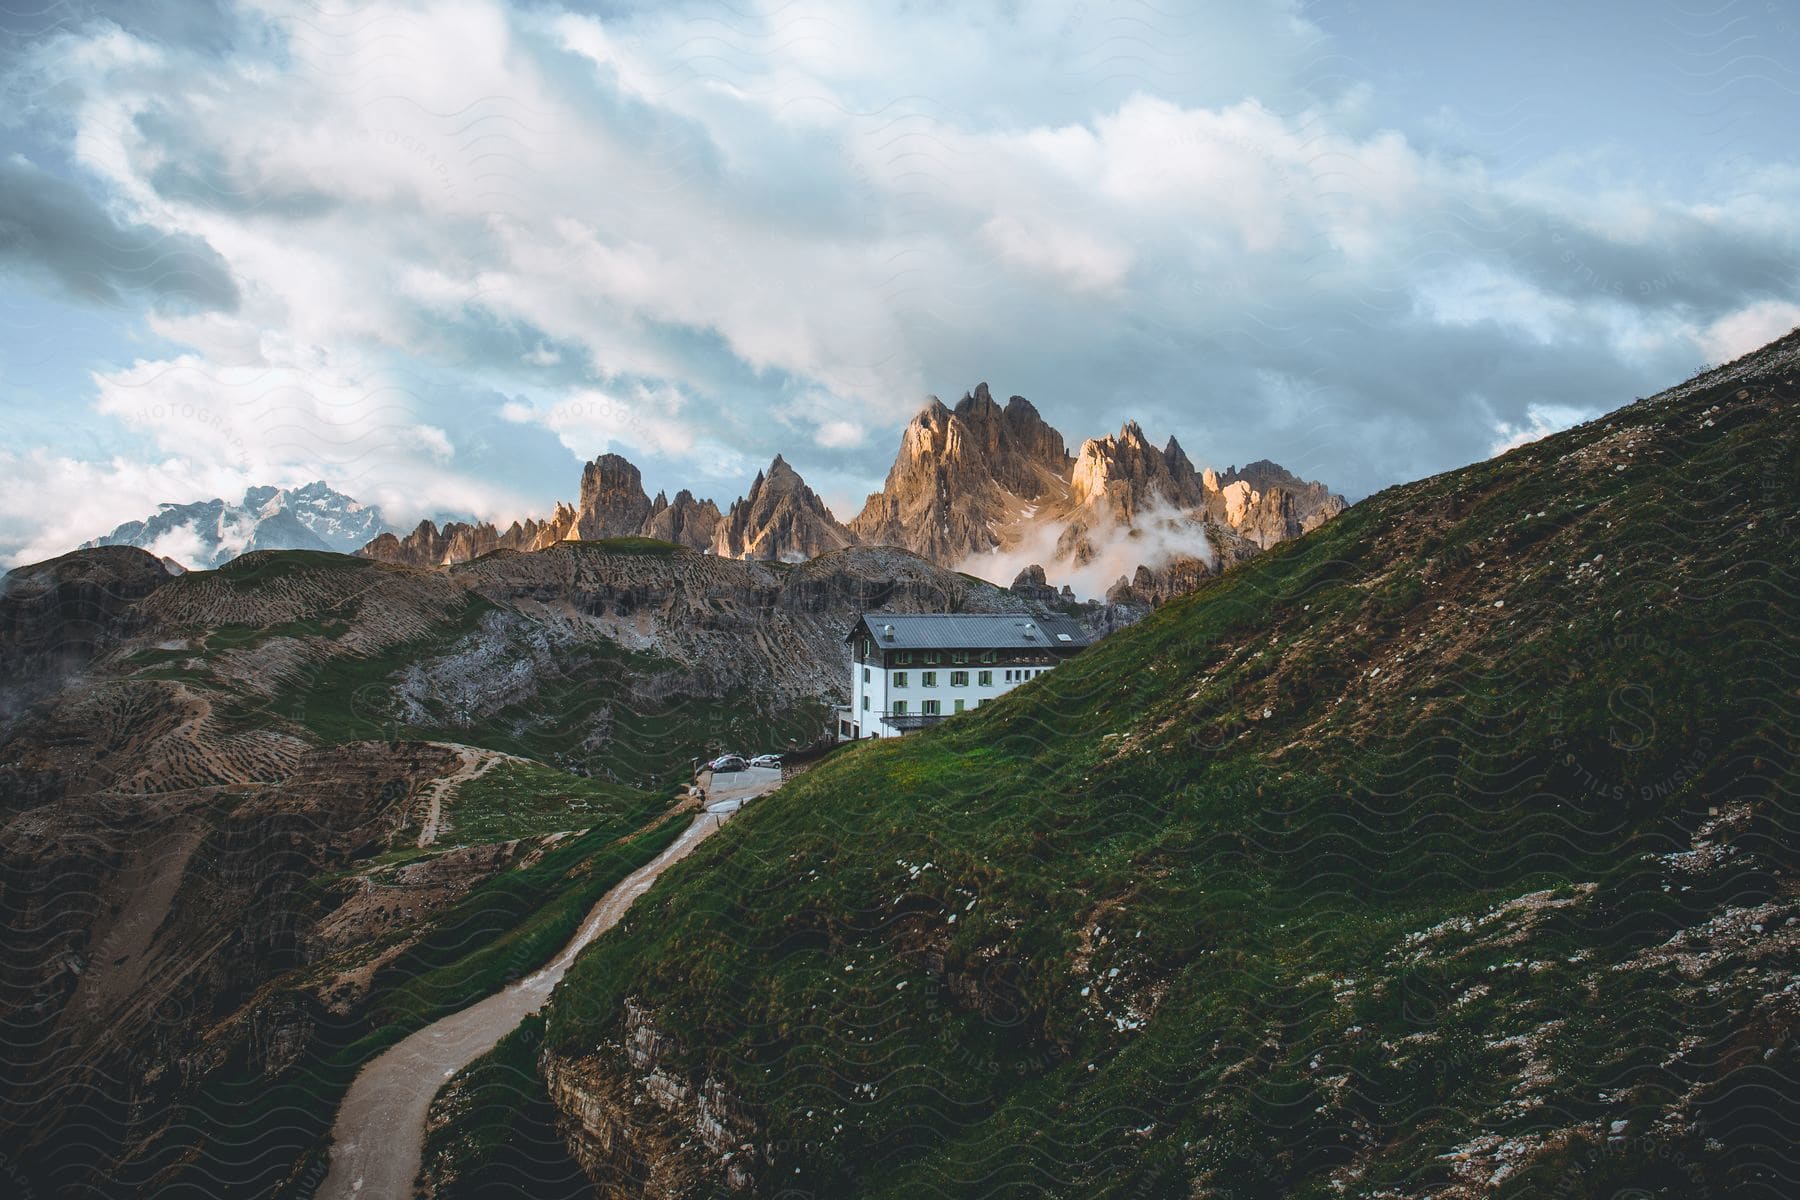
<point>913,670</point>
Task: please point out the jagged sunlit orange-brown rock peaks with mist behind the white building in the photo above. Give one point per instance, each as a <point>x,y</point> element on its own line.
<point>984,487</point>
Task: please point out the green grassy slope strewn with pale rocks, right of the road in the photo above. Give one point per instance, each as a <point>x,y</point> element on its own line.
<point>1155,922</point>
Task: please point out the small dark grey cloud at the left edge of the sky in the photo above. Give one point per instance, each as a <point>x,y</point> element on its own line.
<point>57,231</point>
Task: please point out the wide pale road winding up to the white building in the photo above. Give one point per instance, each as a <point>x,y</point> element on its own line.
<point>377,1142</point>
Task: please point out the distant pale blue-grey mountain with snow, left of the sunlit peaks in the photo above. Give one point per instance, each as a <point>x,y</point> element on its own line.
<point>211,533</point>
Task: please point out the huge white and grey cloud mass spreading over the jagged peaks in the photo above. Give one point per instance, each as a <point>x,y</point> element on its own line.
<point>656,229</point>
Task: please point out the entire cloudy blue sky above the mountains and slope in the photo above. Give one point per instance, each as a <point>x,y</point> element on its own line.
<point>440,253</point>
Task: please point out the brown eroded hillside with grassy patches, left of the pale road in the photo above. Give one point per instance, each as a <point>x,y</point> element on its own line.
<point>260,823</point>
